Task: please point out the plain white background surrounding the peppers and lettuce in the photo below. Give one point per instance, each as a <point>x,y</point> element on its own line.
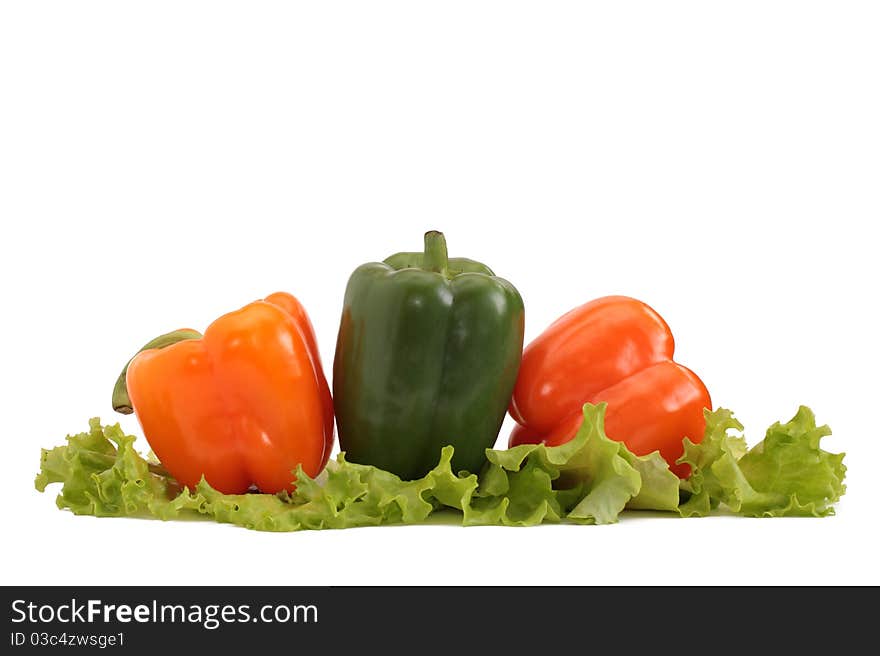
<point>162,163</point>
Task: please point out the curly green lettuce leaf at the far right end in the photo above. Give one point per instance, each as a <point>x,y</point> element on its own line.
<point>787,473</point>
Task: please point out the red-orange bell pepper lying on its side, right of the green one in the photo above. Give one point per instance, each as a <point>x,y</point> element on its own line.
<point>617,350</point>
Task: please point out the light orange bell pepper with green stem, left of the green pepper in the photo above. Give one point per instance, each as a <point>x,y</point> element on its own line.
<point>243,405</point>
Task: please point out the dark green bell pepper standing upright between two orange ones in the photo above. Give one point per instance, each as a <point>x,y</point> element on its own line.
<point>427,355</point>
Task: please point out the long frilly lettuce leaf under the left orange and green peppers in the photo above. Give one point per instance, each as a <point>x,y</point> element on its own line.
<point>103,475</point>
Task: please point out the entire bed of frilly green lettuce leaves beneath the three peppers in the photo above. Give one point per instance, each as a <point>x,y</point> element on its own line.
<point>589,480</point>
